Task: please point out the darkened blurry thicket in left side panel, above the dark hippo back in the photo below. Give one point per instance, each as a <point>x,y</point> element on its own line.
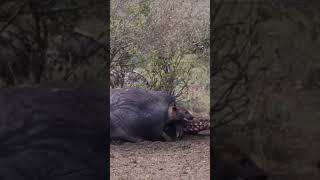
<point>43,41</point>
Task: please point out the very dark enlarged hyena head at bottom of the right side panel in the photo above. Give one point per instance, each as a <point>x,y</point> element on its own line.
<point>232,164</point>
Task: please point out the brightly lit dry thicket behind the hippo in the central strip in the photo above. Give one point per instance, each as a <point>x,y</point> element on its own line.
<point>162,45</point>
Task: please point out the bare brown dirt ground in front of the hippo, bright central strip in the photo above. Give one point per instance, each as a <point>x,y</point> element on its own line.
<point>188,158</point>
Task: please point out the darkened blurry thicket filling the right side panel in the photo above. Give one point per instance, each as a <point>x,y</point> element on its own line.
<point>266,78</point>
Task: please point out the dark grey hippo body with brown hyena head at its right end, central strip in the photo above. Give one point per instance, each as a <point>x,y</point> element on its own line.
<point>137,114</point>
